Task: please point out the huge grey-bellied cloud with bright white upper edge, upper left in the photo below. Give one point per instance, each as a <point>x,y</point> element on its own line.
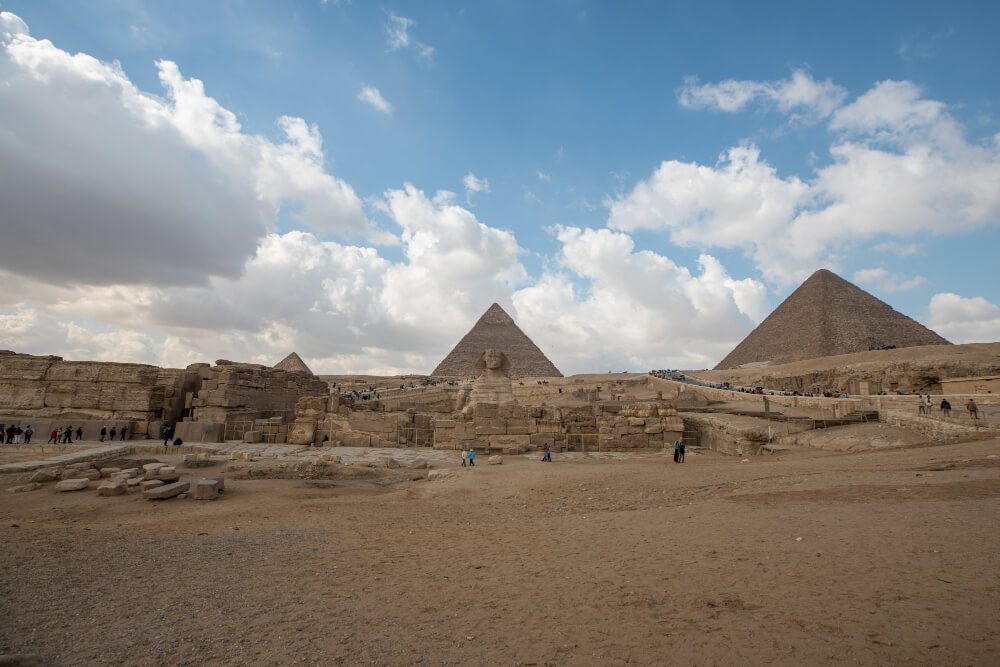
<point>101,183</point>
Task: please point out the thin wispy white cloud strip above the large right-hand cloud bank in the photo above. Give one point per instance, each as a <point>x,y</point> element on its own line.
<point>800,95</point>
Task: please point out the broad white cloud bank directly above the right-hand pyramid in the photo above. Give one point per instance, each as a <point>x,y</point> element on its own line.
<point>900,166</point>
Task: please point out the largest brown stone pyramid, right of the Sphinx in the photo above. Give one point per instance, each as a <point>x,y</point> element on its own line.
<point>825,316</point>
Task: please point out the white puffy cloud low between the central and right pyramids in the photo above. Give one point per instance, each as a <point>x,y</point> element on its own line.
<point>611,306</point>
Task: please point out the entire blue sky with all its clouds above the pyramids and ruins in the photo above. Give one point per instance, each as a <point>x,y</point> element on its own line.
<point>637,184</point>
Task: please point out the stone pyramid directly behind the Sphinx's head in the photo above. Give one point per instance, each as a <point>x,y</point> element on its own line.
<point>495,329</point>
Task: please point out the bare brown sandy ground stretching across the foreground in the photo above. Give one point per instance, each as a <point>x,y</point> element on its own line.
<point>874,558</point>
